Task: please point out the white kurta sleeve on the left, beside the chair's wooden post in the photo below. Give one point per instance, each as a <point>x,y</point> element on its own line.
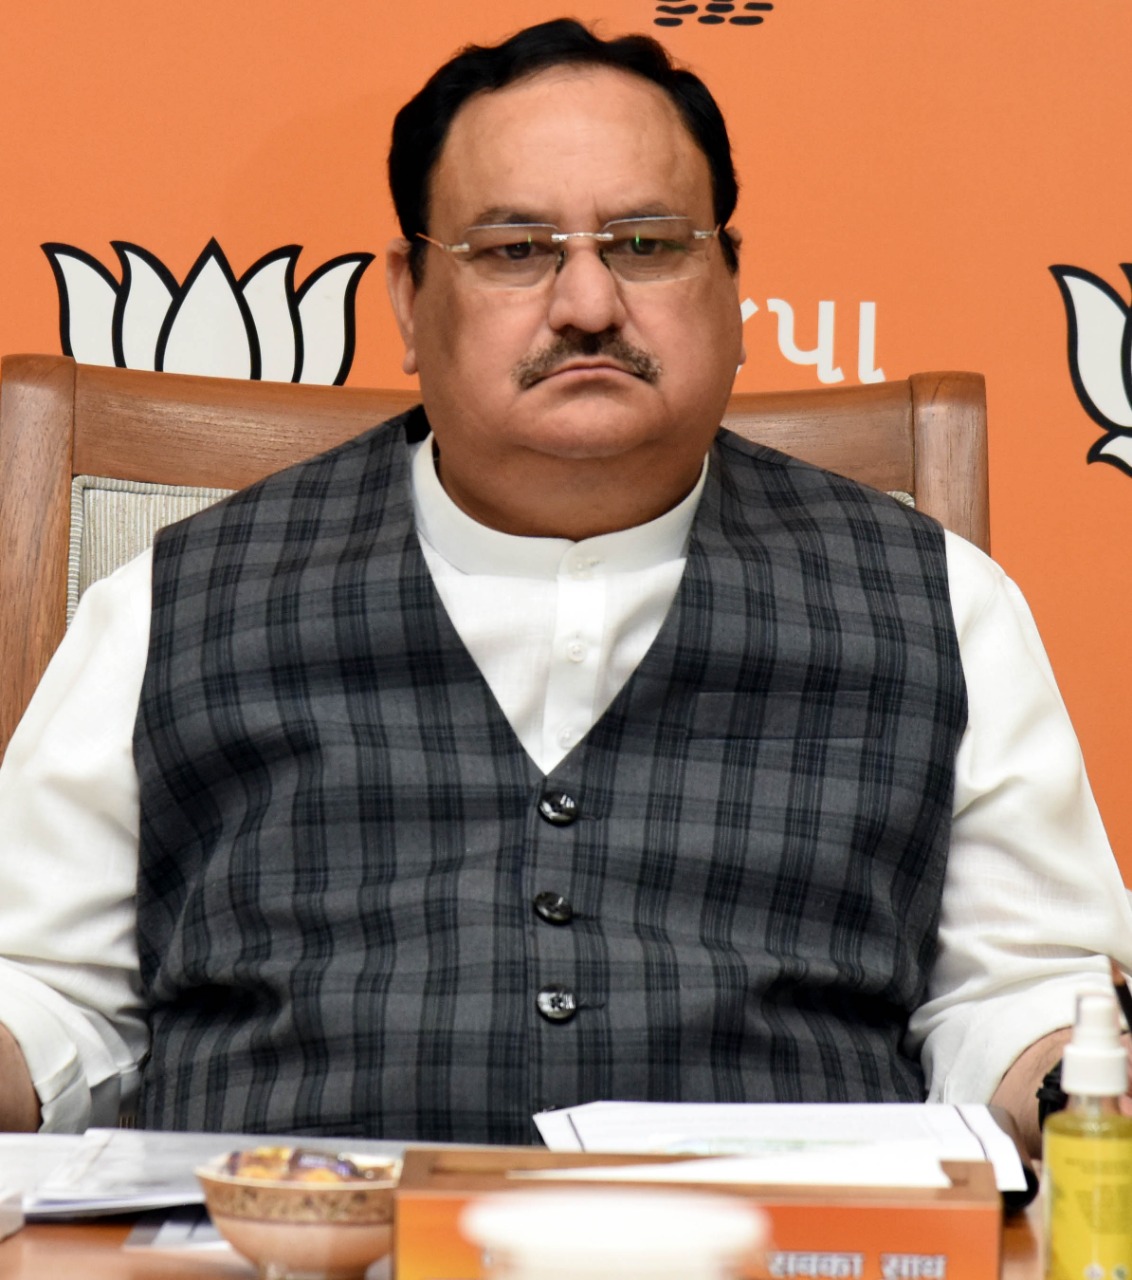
<point>69,863</point>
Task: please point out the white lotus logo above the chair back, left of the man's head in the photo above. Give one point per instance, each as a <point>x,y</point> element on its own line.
<point>257,326</point>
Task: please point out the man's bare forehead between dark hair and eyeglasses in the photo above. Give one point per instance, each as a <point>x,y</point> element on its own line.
<point>569,143</point>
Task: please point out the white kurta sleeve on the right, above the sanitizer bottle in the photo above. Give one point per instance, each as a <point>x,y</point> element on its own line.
<point>1033,895</point>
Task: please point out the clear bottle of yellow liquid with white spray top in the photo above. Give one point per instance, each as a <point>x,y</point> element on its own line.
<point>1088,1155</point>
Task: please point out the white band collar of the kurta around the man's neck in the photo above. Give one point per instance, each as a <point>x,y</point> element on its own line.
<point>474,548</point>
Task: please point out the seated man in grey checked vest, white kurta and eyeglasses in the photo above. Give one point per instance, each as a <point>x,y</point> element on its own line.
<point>567,752</point>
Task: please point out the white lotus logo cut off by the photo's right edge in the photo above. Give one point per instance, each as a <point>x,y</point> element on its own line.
<point>1101,359</point>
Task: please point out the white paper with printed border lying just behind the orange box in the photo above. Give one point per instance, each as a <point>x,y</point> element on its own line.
<point>838,1136</point>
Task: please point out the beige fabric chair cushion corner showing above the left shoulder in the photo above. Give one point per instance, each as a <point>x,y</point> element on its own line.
<point>115,520</point>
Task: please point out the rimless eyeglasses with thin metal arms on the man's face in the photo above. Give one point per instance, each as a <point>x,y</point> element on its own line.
<point>637,250</point>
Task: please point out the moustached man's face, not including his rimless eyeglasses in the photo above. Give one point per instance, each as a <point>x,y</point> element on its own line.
<point>581,367</point>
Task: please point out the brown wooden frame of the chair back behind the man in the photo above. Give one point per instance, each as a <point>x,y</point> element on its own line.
<point>925,437</point>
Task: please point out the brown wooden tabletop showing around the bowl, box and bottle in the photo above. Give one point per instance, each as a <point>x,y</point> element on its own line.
<point>94,1252</point>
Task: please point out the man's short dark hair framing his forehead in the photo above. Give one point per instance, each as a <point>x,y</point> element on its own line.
<point>422,126</point>
